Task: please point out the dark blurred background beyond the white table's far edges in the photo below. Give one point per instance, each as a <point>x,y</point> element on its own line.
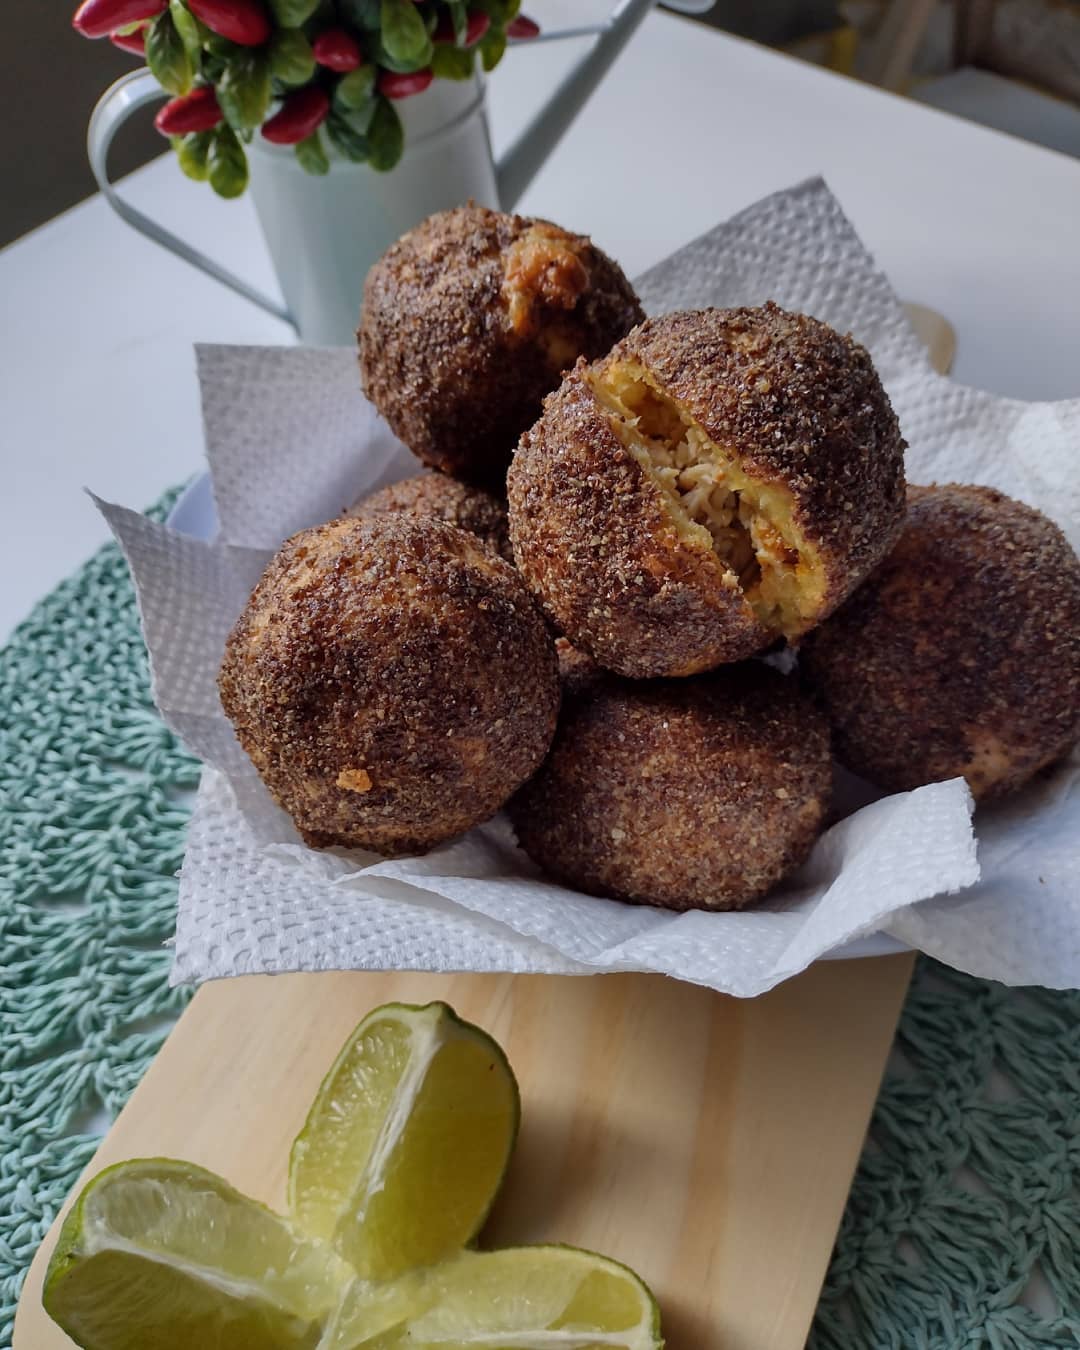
<point>1009,64</point>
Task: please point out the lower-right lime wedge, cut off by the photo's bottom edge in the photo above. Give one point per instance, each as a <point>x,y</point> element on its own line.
<point>519,1299</point>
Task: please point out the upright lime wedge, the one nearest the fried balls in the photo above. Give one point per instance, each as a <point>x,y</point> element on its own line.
<point>407,1143</point>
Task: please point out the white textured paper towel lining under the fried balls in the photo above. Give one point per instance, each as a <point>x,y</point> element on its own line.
<point>291,441</point>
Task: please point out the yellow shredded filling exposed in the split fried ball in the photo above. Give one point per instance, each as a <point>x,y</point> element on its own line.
<point>747,523</point>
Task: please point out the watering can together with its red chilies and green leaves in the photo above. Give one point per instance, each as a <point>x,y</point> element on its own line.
<point>349,119</point>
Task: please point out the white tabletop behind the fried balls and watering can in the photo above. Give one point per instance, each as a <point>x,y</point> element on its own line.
<point>97,369</point>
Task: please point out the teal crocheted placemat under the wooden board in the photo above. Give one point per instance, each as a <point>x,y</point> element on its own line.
<point>963,1228</point>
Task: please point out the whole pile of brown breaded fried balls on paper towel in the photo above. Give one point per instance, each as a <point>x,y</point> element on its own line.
<point>564,615</point>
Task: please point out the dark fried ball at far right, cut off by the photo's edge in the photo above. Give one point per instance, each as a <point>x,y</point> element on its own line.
<point>962,653</point>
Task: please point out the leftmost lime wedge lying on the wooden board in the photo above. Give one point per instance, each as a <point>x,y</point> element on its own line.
<point>165,1255</point>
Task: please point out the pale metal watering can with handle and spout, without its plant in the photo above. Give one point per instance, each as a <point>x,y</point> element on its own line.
<point>325,234</point>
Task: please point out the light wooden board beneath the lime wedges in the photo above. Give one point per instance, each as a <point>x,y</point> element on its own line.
<point>707,1141</point>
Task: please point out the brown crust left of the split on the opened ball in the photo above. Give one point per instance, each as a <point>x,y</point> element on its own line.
<point>596,546</point>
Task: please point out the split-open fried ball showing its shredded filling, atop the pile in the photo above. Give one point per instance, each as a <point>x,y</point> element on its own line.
<point>723,480</point>
